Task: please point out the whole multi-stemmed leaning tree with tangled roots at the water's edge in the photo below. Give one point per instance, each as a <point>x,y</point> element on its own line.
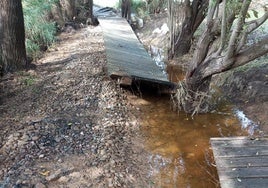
<point>222,46</point>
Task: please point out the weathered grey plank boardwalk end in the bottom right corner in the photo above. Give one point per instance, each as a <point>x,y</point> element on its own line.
<point>241,162</point>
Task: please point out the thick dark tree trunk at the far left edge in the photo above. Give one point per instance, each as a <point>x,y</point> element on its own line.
<point>12,36</point>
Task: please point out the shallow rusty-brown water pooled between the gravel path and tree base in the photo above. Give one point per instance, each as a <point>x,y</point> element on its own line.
<point>180,153</point>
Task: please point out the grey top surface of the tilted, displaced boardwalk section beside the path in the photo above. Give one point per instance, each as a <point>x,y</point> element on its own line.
<point>126,56</point>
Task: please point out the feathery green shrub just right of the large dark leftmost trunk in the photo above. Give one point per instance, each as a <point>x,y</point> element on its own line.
<point>39,31</point>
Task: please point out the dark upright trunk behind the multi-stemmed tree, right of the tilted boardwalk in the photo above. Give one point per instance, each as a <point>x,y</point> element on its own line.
<point>185,17</point>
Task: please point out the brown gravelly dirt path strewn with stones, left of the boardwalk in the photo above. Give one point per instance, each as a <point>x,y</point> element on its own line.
<point>65,124</point>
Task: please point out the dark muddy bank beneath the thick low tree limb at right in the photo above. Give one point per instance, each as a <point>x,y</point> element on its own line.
<point>247,88</point>
